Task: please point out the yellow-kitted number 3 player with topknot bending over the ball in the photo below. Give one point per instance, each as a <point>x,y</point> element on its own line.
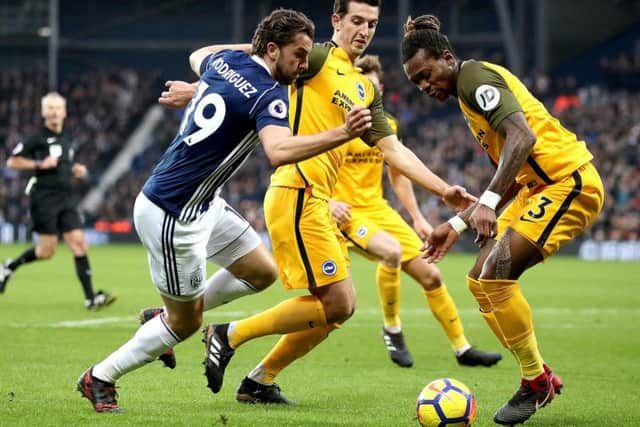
<point>560,194</point>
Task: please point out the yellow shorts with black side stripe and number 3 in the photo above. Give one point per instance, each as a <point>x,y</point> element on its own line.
<point>551,215</point>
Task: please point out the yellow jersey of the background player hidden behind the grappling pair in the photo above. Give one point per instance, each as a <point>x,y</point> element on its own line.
<point>360,177</point>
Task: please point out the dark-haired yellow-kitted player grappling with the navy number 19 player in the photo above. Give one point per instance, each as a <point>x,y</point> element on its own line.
<point>308,247</point>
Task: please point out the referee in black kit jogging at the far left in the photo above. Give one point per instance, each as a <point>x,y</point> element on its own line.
<point>49,153</point>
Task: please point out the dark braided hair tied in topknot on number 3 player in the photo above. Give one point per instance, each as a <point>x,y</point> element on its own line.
<point>423,33</point>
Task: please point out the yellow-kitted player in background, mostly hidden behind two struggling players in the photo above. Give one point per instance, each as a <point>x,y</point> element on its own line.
<point>379,232</point>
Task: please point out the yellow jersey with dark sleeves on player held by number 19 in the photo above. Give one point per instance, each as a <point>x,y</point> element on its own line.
<point>319,101</point>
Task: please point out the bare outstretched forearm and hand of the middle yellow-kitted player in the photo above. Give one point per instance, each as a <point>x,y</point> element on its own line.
<point>403,159</point>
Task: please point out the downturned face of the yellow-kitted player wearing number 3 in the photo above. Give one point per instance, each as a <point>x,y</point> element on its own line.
<point>434,76</point>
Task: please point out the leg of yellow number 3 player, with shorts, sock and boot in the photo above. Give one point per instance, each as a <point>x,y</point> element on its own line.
<point>553,215</point>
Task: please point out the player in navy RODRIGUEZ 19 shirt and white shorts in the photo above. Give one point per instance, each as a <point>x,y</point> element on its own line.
<point>182,222</point>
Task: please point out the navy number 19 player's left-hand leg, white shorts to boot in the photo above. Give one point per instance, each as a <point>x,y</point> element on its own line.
<point>177,262</point>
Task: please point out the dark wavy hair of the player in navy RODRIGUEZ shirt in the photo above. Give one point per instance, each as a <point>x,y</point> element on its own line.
<point>280,27</point>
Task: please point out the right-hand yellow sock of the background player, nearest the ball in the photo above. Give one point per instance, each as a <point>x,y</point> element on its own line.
<point>445,311</point>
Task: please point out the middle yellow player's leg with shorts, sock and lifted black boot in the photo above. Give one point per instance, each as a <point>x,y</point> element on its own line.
<point>294,232</point>
